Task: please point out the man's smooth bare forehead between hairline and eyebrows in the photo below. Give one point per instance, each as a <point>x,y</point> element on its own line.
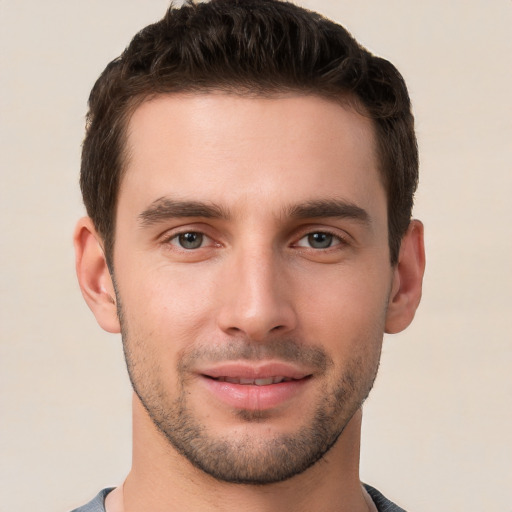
<point>236,147</point>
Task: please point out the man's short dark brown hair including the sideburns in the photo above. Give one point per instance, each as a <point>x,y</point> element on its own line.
<point>257,47</point>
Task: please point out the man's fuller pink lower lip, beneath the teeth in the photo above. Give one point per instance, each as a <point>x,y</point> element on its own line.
<point>255,398</point>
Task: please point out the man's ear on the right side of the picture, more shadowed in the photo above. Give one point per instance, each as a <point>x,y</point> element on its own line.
<point>407,280</point>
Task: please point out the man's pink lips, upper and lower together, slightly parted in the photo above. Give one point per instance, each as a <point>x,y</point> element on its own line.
<point>252,396</point>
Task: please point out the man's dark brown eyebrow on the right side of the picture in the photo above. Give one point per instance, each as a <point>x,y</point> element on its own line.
<point>329,208</point>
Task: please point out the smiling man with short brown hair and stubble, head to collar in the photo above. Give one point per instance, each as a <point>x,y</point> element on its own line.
<point>248,171</point>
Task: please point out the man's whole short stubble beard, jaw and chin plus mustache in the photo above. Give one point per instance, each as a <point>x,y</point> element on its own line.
<point>245,459</point>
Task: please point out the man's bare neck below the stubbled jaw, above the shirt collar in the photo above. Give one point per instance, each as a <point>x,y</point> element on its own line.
<point>162,480</point>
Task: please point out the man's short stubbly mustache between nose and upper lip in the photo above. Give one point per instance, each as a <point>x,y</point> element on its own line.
<point>286,350</point>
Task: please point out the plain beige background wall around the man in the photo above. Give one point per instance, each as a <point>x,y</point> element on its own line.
<point>438,426</point>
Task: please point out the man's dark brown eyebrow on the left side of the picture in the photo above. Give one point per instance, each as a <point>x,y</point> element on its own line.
<point>165,208</point>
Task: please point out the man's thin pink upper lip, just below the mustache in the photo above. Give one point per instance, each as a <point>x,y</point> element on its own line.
<point>245,370</point>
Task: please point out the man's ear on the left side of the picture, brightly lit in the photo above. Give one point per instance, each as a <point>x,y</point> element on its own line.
<point>94,277</point>
